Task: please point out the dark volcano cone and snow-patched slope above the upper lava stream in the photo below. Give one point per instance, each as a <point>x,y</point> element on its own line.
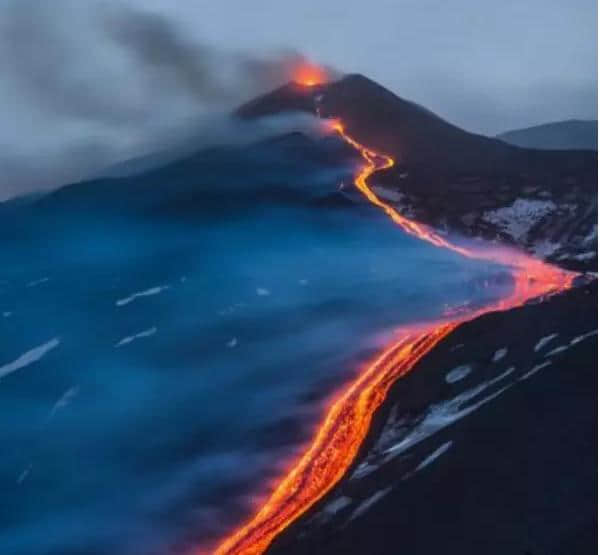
<point>445,176</point>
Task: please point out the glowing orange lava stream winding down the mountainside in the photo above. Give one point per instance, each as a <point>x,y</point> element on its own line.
<point>347,420</point>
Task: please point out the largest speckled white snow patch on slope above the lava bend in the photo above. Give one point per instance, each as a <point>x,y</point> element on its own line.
<point>518,218</point>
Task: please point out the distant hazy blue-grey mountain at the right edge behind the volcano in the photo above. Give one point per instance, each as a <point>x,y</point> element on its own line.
<point>571,134</point>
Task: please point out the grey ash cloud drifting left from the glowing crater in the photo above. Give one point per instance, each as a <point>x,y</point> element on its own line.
<point>87,85</point>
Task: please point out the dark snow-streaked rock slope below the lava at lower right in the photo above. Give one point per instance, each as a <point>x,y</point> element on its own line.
<point>509,465</point>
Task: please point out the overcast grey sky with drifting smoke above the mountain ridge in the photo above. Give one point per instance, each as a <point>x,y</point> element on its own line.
<point>85,83</point>
